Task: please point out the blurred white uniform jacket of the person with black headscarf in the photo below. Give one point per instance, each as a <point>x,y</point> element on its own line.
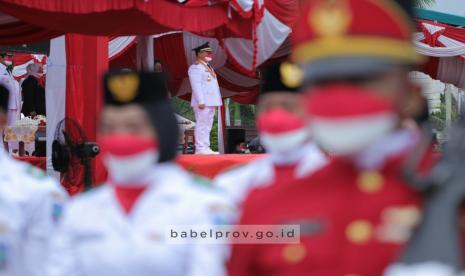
<point>96,237</point>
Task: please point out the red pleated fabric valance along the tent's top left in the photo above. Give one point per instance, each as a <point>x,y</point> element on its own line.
<point>29,20</point>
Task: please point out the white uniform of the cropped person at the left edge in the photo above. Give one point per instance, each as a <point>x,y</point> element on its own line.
<point>30,204</point>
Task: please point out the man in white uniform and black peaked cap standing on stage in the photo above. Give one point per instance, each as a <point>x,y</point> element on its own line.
<point>206,97</point>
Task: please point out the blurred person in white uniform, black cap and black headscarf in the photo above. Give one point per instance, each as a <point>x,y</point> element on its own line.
<point>119,229</point>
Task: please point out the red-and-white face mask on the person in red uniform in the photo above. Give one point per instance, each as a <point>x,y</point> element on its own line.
<point>345,119</point>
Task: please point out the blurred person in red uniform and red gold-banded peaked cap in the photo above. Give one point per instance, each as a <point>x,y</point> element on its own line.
<point>358,212</point>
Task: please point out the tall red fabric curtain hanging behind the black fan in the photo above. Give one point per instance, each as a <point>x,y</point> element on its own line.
<point>87,60</point>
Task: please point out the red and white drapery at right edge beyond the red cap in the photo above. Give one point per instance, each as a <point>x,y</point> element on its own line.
<point>445,45</point>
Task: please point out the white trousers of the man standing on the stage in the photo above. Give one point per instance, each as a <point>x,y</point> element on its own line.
<point>203,126</point>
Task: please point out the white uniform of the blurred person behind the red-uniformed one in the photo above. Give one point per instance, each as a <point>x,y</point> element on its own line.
<point>239,182</point>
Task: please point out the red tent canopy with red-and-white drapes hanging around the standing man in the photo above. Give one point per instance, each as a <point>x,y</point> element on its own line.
<point>247,32</point>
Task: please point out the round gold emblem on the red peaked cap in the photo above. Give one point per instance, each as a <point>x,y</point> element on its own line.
<point>330,18</point>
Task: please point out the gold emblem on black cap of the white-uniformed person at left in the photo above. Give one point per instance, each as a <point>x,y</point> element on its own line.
<point>124,87</point>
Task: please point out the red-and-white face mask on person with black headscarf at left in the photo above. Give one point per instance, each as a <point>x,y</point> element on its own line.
<point>128,158</point>
